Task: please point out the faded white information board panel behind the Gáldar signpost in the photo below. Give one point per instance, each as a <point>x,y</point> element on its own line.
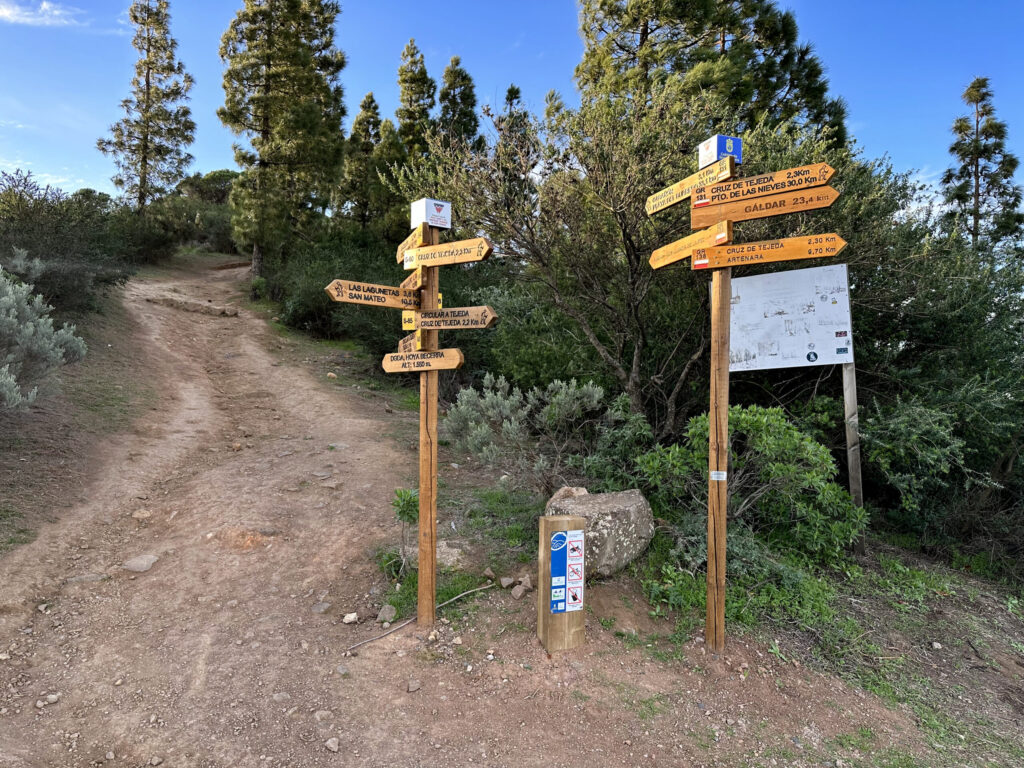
<point>791,320</point>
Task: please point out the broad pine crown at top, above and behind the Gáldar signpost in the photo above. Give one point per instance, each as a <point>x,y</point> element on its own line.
<point>746,51</point>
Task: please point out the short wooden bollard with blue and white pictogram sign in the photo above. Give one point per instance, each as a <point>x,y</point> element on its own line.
<point>560,583</point>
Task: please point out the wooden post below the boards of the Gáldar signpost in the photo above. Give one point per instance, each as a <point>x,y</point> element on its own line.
<point>718,458</point>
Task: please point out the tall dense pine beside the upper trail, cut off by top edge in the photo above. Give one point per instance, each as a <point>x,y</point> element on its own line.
<point>283,94</point>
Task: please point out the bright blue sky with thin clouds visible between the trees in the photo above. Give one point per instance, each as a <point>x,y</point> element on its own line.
<point>902,67</point>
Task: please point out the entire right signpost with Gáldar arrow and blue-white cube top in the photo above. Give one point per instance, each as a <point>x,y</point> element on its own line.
<point>718,200</point>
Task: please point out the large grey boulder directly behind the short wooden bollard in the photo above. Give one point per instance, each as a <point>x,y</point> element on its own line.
<point>619,528</point>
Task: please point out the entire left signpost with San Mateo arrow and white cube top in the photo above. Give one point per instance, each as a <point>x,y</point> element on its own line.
<point>418,296</point>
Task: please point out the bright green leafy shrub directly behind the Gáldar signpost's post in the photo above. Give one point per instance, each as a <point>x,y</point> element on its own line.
<point>782,484</point>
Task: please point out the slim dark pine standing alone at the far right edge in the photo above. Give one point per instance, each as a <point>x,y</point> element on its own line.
<point>980,191</point>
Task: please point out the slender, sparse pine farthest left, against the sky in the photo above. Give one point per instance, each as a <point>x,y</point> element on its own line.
<point>149,144</point>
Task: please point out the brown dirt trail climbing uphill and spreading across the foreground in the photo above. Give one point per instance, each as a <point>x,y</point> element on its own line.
<point>217,658</point>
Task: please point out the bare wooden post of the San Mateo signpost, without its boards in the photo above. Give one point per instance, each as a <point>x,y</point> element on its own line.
<point>426,587</point>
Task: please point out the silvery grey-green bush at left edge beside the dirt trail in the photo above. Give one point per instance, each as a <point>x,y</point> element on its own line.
<point>30,348</point>
